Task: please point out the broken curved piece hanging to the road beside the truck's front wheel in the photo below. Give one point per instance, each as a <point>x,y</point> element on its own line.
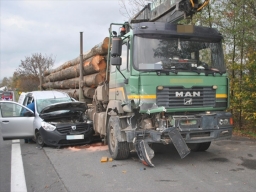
<point>144,152</point>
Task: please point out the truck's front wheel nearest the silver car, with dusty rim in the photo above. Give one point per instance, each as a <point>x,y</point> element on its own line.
<point>118,150</point>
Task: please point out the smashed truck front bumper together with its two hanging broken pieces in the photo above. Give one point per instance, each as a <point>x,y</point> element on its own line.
<point>198,128</point>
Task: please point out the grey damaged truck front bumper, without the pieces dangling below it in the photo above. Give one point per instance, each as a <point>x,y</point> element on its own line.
<point>198,128</point>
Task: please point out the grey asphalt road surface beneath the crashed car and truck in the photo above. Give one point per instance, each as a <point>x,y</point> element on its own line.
<point>228,165</point>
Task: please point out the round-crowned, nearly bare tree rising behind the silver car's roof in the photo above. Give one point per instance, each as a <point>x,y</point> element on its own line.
<point>35,66</point>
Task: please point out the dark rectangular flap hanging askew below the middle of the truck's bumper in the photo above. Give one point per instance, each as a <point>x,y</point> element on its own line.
<point>178,142</point>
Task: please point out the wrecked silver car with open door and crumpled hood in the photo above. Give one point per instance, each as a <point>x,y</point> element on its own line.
<point>56,121</point>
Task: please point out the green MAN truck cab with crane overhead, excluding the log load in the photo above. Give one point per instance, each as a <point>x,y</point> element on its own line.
<point>165,83</point>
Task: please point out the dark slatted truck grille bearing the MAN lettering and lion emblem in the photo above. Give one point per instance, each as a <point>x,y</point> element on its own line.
<point>178,96</point>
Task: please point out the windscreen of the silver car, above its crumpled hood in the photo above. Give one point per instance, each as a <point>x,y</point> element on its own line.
<point>42,103</point>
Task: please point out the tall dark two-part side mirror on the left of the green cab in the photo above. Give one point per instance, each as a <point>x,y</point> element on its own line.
<point>116,51</point>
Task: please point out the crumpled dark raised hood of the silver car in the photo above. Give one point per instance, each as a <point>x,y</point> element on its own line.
<point>62,108</point>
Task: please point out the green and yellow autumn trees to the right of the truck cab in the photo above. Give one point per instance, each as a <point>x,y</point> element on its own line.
<point>236,20</point>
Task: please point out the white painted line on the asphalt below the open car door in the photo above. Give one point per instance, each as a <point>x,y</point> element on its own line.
<point>18,181</point>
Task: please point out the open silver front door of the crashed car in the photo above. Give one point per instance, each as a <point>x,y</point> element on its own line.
<point>16,121</point>
